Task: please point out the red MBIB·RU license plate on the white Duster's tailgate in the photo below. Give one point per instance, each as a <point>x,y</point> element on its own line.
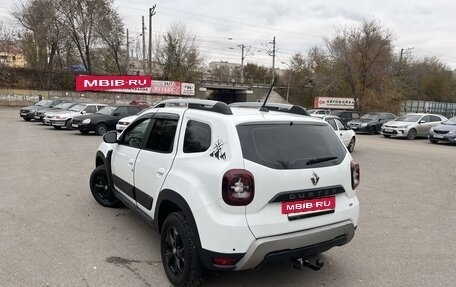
<point>309,205</point>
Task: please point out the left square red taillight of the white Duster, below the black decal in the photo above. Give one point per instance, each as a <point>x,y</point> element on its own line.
<point>238,187</point>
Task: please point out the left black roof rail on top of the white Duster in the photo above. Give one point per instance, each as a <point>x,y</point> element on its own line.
<point>198,104</point>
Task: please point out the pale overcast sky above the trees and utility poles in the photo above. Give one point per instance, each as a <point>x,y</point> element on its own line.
<point>425,28</point>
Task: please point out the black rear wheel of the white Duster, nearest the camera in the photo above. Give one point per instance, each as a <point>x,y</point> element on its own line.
<point>178,252</point>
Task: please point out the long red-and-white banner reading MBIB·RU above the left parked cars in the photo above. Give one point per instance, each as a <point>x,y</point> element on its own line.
<point>133,84</point>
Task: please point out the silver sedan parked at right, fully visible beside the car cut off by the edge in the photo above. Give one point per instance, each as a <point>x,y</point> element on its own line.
<point>412,125</point>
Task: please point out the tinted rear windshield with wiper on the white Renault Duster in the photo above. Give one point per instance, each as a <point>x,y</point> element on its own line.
<point>291,145</point>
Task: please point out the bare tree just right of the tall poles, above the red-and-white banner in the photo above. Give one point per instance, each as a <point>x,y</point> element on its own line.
<point>178,55</point>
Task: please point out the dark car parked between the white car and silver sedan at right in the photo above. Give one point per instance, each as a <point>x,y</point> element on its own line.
<point>371,122</point>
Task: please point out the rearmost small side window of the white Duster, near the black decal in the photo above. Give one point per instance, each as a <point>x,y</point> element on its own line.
<point>197,137</point>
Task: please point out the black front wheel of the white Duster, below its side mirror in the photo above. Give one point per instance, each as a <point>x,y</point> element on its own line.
<point>100,188</point>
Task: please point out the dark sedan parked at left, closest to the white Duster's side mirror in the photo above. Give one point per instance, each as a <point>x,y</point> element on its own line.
<point>104,120</point>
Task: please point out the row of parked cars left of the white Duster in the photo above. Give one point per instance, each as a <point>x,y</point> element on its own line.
<point>86,117</point>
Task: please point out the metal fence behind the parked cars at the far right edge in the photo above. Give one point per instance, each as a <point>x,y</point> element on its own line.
<point>442,108</point>
